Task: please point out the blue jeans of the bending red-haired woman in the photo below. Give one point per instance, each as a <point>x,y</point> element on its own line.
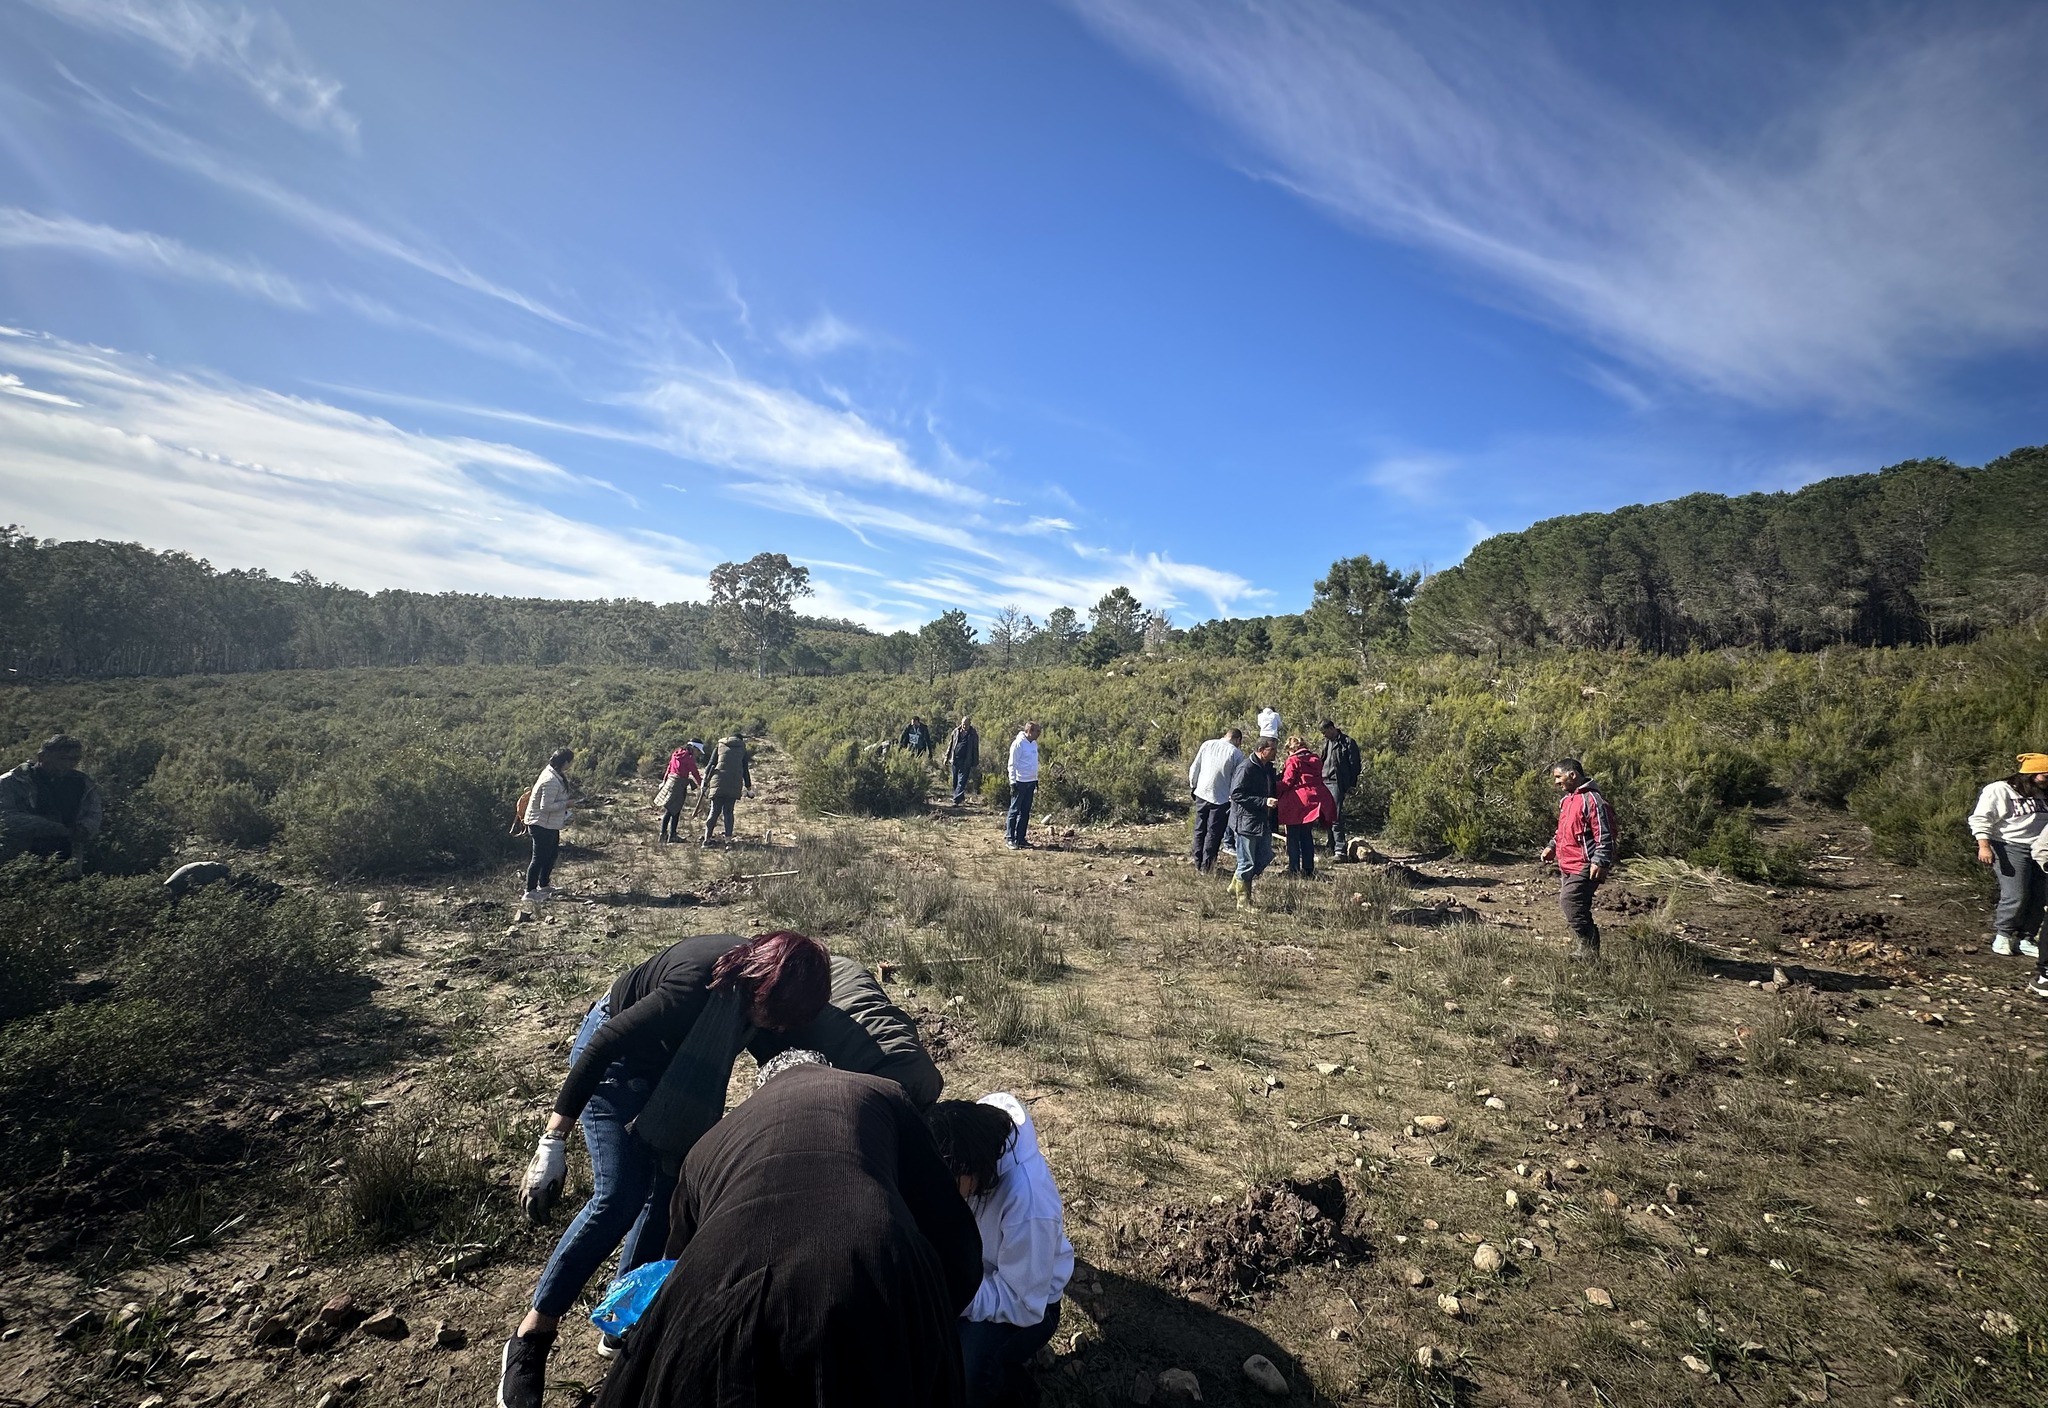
<point>628,1192</point>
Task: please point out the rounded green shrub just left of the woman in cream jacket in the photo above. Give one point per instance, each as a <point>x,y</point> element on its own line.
<point>396,813</point>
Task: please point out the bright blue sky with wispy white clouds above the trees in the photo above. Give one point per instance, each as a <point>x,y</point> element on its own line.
<point>992,304</point>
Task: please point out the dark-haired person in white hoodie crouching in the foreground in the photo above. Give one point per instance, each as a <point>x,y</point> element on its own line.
<point>1027,1260</point>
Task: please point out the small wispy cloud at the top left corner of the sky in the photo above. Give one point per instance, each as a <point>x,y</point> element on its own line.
<point>251,48</point>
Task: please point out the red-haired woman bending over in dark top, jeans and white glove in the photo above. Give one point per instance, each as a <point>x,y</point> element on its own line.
<point>648,1077</point>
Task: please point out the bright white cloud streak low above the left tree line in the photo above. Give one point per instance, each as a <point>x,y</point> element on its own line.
<point>261,480</point>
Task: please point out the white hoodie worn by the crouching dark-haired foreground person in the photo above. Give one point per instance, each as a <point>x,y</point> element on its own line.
<point>1025,1249</point>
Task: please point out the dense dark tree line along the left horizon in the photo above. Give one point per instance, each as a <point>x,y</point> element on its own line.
<point>118,609</point>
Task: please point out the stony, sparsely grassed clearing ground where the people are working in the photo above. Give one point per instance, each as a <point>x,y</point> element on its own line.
<point>1701,1188</point>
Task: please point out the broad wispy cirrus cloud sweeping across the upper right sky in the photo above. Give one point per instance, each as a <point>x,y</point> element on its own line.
<point>1836,251</point>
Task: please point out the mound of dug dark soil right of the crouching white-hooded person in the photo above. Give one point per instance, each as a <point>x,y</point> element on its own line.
<point>1236,1249</point>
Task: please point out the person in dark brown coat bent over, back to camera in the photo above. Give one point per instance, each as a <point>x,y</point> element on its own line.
<point>822,1251</point>
